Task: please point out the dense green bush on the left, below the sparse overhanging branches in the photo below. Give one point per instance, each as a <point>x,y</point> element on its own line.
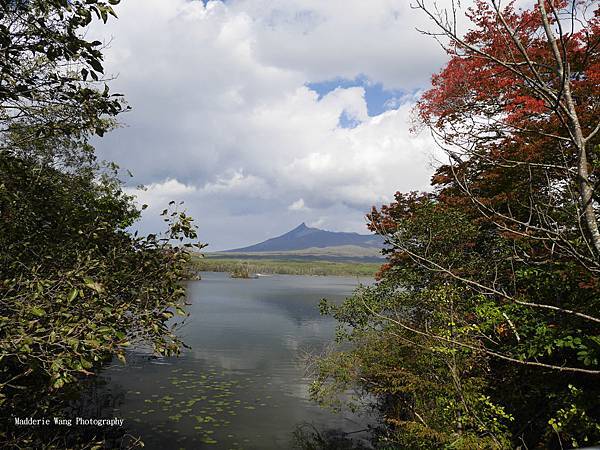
<point>77,289</point>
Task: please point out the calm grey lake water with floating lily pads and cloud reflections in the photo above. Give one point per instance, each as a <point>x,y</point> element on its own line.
<point>242,383</point>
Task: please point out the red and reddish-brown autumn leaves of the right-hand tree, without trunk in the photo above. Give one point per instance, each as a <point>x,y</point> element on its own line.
<point>490,103</point>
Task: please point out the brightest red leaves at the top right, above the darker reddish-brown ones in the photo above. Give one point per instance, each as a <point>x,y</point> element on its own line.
<point>487,76</point>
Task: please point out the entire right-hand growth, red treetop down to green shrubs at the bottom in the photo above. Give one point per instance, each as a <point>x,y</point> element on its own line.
<point>490,294</point>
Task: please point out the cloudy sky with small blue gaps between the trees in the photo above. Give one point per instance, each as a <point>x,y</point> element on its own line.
<point>262,114</point>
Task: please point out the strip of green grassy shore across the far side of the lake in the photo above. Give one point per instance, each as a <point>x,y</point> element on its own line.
<point>286,267</point>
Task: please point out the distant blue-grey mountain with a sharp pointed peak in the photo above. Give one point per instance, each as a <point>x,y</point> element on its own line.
<point>303,237</point>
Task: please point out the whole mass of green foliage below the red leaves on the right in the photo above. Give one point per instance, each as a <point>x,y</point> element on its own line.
<point>424,342</point>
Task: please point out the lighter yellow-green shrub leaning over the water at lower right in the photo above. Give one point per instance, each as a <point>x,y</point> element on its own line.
<point>428,392</point>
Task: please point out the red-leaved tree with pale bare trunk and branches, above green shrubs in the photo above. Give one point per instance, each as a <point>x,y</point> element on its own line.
<point>520,98</point>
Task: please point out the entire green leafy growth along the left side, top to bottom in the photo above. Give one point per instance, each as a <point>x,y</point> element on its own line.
<point>76,287</point>
